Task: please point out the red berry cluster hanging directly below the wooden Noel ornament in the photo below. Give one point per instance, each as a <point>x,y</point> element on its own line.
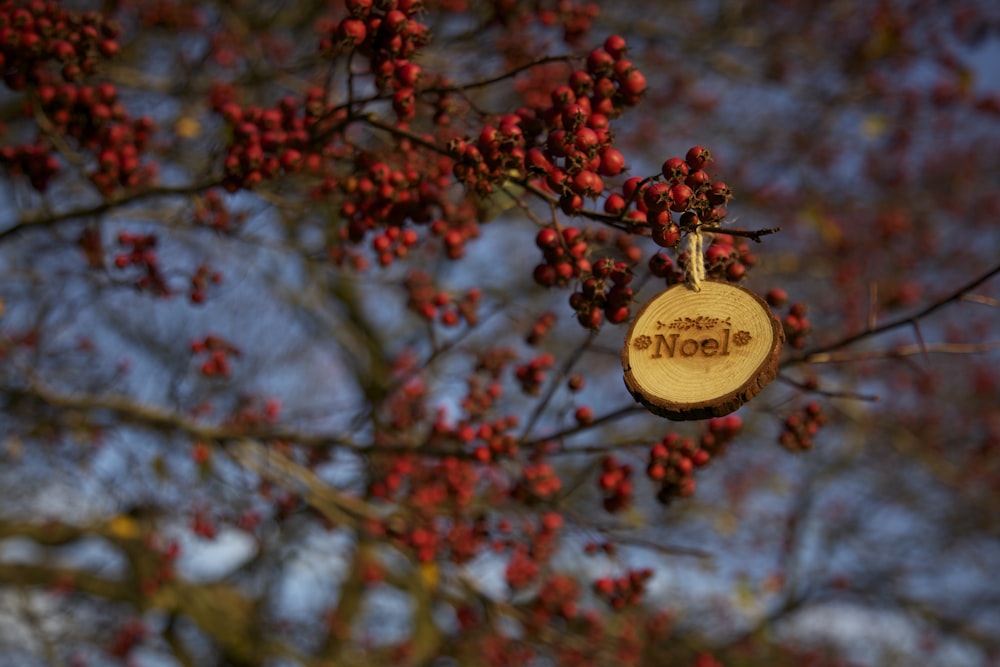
<point>672,461</point>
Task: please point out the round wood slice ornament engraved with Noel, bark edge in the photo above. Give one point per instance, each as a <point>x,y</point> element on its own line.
<point>698,354</point>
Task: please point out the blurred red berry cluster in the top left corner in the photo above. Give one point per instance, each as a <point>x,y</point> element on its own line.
<point>38,32</point>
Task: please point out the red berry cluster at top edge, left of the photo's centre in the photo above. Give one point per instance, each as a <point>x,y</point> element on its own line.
<point>389,35</point>
